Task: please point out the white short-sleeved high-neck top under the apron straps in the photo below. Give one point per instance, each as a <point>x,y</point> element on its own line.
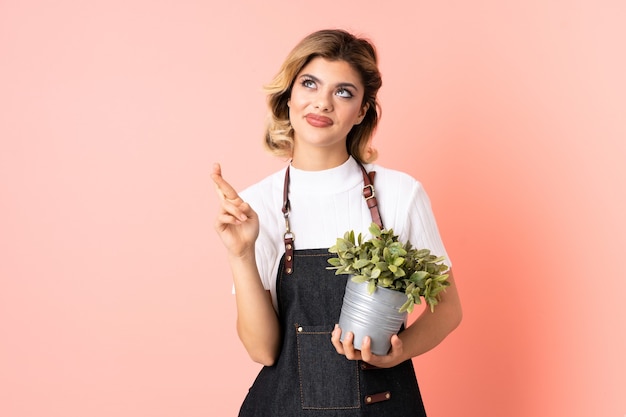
<point>325,204</point>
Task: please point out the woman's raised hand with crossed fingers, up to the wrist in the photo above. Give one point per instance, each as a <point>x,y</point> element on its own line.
<point>236,224</point>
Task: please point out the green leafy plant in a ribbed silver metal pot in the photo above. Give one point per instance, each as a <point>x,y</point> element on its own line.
<point>388,278</point>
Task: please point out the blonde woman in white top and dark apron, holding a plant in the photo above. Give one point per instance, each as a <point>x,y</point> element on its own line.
<point>324,111</point>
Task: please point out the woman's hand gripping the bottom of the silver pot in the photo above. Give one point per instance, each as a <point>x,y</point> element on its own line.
<point>394,357</point>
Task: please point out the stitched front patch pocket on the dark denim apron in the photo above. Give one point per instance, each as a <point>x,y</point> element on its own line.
<point>327,379</point>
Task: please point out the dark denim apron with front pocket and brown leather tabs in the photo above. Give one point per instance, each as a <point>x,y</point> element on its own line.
<point>309,377</point>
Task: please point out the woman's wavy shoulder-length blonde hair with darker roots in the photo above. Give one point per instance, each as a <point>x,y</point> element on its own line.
<point>333,45</point>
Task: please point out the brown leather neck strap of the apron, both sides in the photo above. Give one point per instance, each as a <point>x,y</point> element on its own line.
<point>369,194</point>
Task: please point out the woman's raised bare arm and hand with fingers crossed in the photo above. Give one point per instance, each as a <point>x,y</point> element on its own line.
<point>238,227</point>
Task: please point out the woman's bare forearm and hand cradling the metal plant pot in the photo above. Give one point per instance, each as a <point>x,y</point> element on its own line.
<point>430,329</point>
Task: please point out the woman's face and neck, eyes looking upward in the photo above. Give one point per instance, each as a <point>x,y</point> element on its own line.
<point>326,102</point>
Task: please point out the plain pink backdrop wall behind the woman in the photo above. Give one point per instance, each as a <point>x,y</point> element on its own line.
<point>114,291</point>
